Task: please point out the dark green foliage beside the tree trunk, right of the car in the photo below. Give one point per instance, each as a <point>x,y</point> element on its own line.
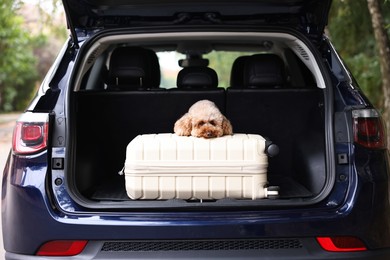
<point>351,32</point>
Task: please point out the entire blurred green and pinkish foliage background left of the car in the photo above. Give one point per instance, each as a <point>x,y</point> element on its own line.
<point>25,50</point>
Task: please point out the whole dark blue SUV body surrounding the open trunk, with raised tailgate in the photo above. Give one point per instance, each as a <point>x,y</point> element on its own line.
<point>42,203</point>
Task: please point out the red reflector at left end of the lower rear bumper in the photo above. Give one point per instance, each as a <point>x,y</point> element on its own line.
<point>62,248</point>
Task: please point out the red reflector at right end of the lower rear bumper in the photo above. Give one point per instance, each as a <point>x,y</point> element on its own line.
<point>341,244</point>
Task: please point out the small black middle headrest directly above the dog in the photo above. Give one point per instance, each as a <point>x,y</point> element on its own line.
<point>197,77</point>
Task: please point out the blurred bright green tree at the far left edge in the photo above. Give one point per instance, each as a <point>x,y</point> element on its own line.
<point>17,63</point>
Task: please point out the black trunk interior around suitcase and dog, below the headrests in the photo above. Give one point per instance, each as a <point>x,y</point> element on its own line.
<point>107,122</point>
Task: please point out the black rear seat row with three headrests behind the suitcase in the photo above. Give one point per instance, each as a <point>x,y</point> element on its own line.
<point>111,119</point>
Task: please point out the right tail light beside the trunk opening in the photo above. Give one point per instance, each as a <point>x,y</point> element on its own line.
<point>368,129</point>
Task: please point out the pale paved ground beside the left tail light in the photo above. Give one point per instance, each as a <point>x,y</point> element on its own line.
<point>7,123</point>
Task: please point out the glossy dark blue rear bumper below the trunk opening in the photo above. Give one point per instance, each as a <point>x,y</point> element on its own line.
<point>29,196</point>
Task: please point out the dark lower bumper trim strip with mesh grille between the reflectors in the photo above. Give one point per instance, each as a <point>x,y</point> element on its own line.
<point>112,250</point>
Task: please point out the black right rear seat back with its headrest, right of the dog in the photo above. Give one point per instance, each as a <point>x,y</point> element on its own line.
<point>265,105</point>
